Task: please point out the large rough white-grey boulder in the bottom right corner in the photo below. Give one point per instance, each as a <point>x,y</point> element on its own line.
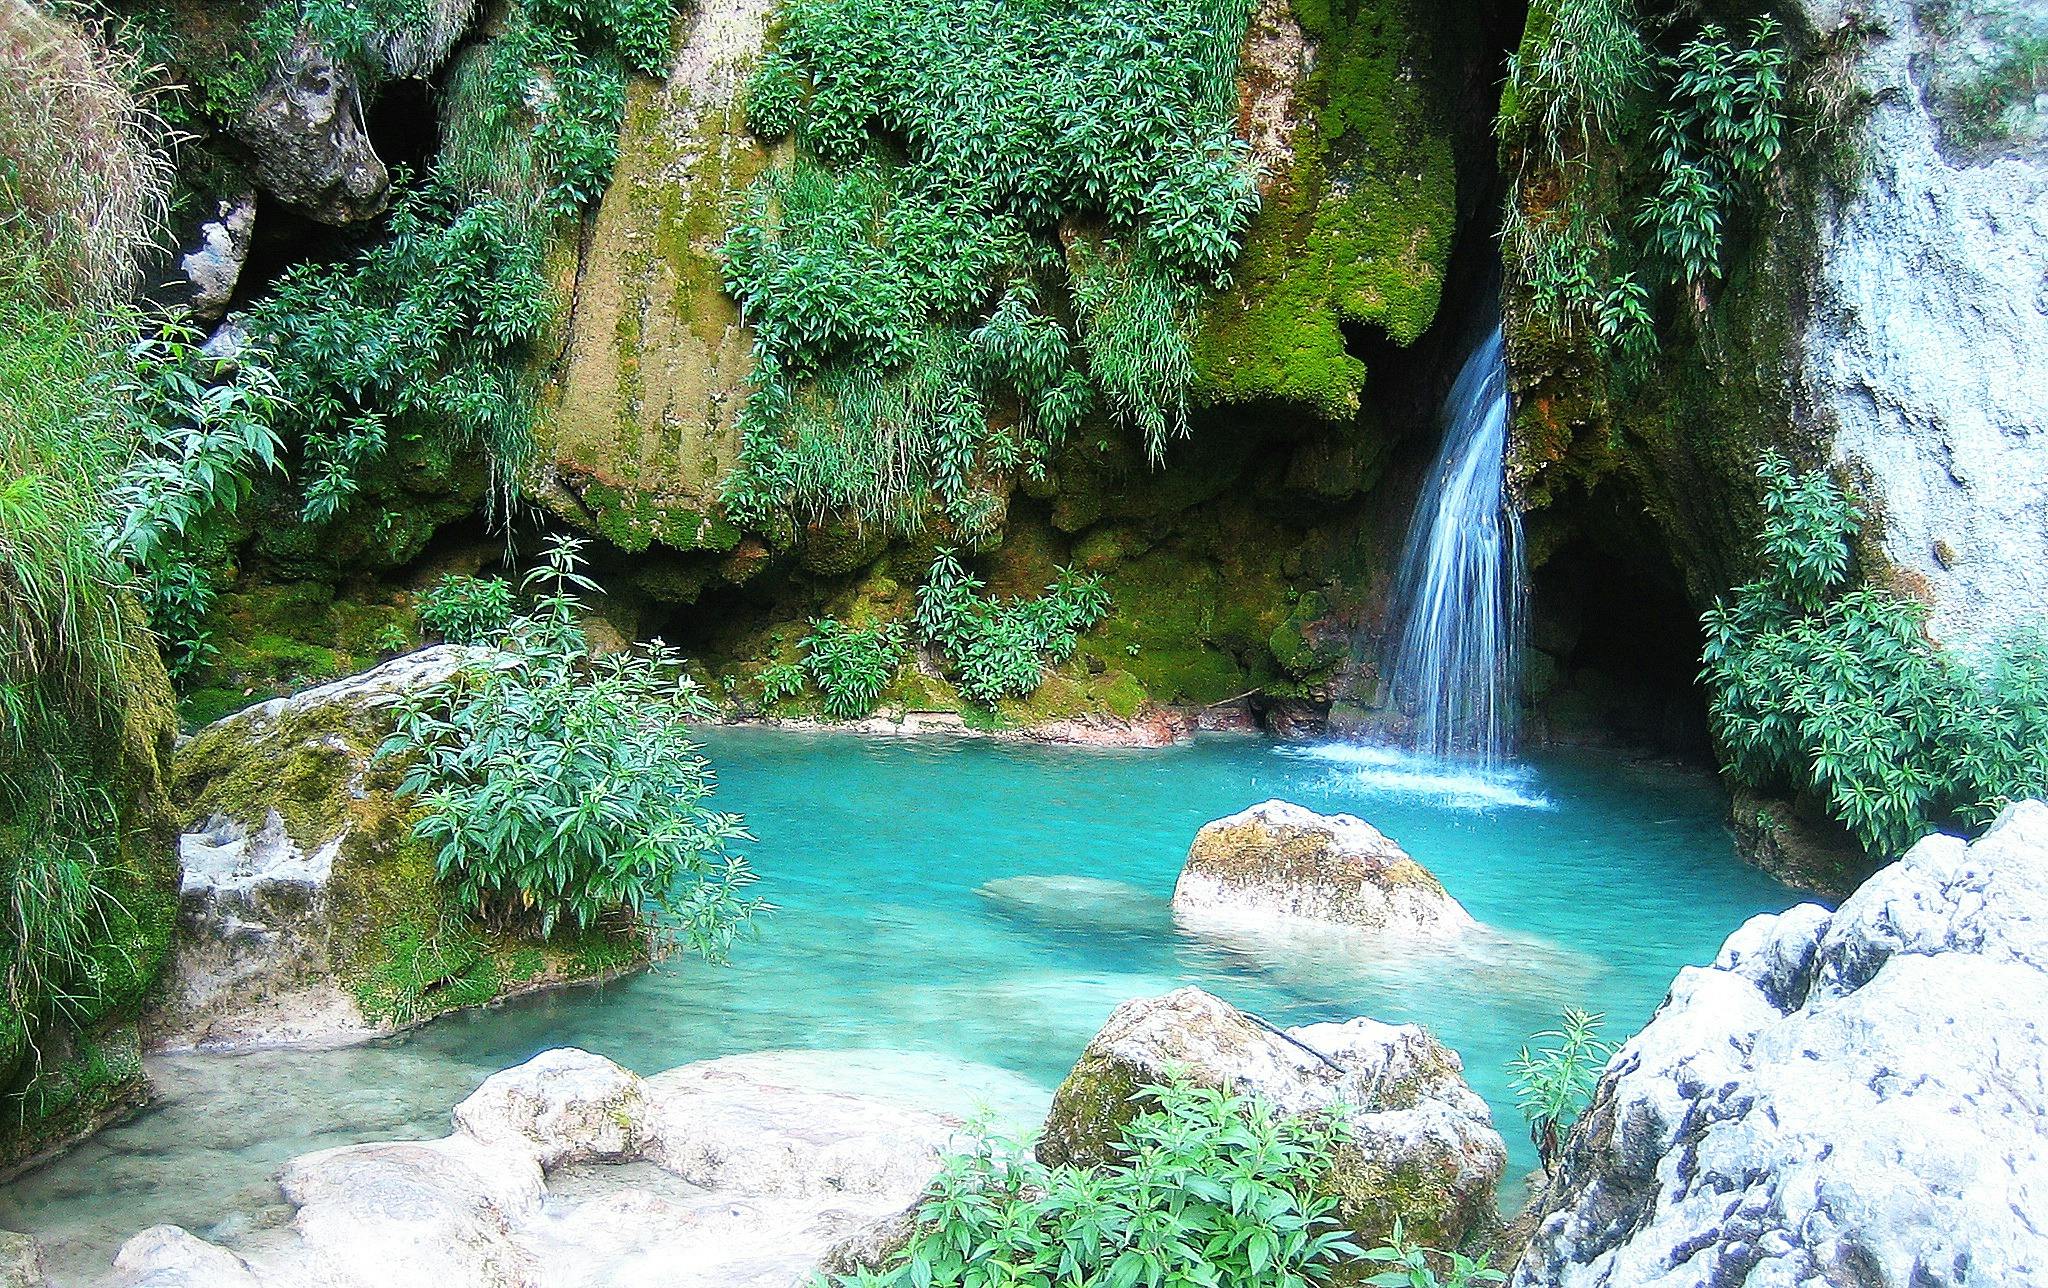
<point>1850,1099</point>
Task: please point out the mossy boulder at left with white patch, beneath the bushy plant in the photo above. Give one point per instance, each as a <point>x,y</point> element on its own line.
<point>310,912</point>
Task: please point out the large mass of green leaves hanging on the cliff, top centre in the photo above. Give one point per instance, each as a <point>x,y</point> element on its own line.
<point>904,353</point>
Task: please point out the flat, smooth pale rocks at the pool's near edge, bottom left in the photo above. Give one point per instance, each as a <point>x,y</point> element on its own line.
<point>570,1170</point>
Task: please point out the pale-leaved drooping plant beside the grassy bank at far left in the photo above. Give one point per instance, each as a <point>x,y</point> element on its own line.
<point>206,437</point>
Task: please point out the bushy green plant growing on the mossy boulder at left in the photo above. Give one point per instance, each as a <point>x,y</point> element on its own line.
<point>564,789</point>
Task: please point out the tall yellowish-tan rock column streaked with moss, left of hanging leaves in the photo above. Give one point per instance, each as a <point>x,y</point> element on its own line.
<point>652,368</point>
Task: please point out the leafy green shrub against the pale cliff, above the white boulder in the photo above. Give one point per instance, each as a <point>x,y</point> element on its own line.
<point>1826,687</point>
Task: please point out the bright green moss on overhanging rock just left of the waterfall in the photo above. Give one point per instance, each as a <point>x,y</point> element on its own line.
<point>1359,226</point>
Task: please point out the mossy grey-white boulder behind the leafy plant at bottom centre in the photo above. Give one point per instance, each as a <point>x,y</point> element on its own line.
<point>1422,1144</point>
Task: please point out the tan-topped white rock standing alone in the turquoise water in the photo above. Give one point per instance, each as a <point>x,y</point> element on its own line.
<point>1285,861</point>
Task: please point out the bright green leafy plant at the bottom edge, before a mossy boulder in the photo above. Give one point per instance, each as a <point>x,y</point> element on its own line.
<point>1218,1191</point>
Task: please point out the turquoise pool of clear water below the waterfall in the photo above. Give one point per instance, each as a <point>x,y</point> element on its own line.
<point>896,959</point>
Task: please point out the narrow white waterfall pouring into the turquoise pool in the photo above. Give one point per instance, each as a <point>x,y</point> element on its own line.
<point>1463,597</point>
